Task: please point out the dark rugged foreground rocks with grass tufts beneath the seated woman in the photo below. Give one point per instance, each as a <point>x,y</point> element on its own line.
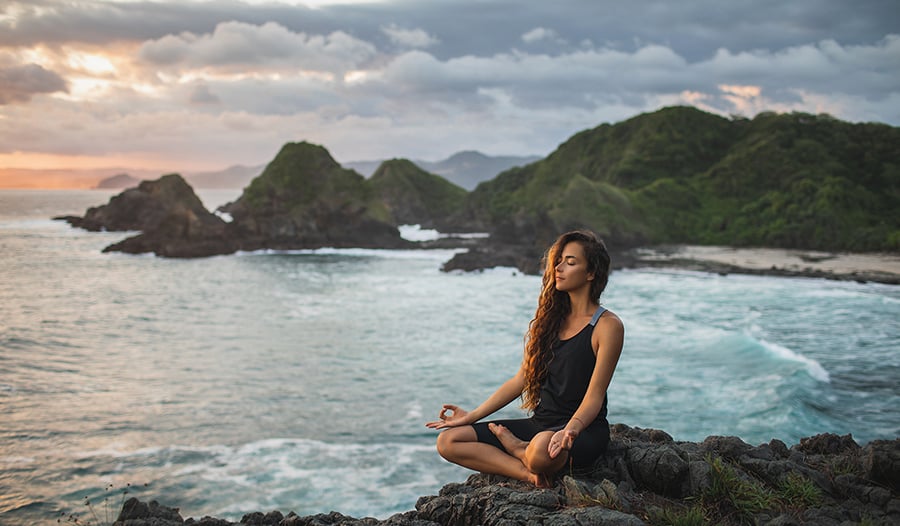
<point>647,478</point>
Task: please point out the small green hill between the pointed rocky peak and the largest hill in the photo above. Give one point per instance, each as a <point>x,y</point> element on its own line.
<point>414,196</point>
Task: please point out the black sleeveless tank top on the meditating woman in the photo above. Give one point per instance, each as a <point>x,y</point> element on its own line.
<point>569,373</point>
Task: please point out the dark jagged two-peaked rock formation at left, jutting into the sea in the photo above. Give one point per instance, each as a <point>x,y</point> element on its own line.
<point>303,199</point>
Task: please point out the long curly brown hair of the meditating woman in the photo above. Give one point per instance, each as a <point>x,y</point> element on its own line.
<point>554,306</point>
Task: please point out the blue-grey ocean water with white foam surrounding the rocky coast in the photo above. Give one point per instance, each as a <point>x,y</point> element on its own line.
<point>301,381</point>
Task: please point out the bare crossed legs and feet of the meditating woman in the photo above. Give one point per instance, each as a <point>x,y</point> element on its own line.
<point>521,460</point>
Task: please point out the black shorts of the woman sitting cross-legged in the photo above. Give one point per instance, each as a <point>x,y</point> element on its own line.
<point>589,445</point>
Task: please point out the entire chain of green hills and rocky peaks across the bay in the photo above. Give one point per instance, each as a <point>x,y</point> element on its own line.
<point>675,176</point>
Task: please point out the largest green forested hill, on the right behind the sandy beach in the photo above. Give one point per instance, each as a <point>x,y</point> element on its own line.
<point>683,175</point>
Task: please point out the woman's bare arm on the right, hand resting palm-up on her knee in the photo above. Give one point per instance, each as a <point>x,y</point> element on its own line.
<point>607,340</point>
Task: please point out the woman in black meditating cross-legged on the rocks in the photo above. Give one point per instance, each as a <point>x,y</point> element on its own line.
<point>571,351</point>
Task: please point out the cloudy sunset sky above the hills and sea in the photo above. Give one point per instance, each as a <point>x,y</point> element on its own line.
<point>188,85</point>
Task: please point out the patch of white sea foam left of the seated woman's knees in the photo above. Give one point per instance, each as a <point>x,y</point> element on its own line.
<point>362,478</point>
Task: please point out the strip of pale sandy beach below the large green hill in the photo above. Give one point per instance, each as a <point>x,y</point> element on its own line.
<point>878,267</point>
